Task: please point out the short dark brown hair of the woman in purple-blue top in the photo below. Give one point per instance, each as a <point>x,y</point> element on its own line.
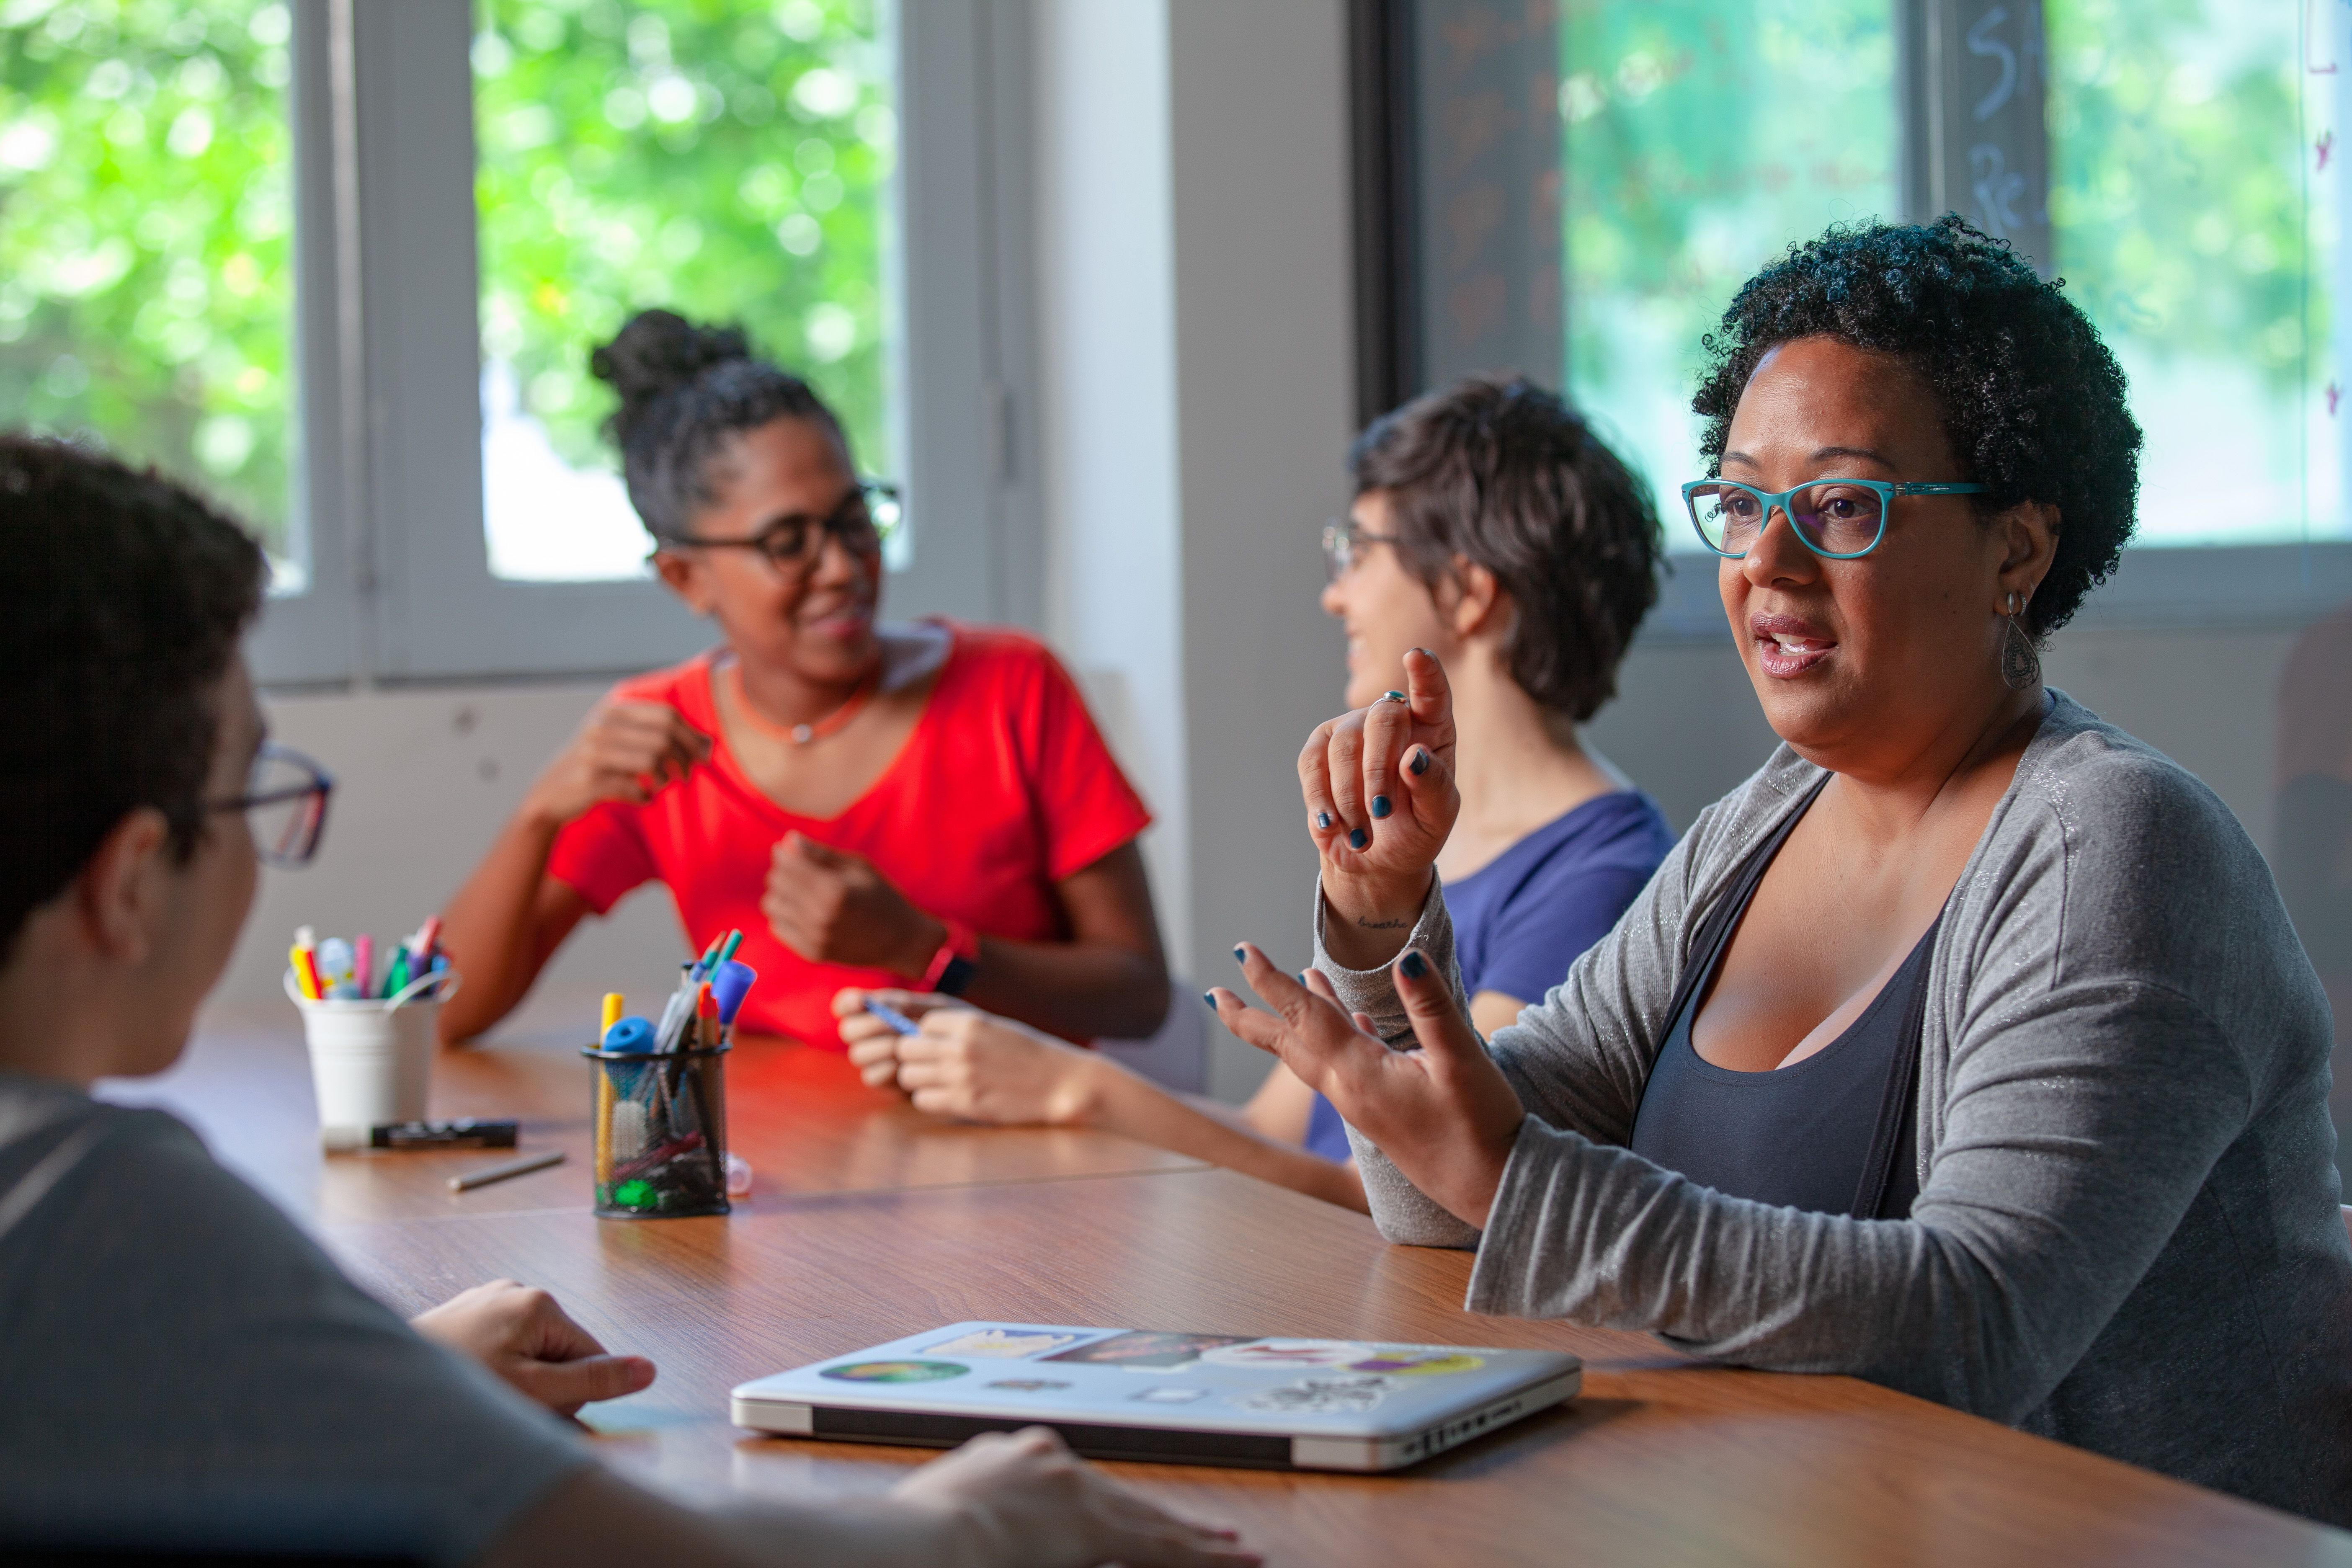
<point>1509,476</point>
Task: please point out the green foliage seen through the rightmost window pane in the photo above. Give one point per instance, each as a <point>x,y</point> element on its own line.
<point>2177,180</point>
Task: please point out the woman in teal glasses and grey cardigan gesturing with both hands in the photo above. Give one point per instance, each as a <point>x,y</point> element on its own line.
<point>1967,1045</point>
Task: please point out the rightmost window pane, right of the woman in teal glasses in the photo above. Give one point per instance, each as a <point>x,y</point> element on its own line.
<point>2181,222</point>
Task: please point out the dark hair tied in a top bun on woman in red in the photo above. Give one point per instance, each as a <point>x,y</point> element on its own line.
<point>686,394</point>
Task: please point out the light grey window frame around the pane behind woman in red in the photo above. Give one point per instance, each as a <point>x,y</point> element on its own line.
<point>389,476</point>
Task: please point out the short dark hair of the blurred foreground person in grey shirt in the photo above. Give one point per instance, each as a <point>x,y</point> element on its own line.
<point>123,605</point>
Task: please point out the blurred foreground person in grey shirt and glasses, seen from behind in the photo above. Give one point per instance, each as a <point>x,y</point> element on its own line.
<point>187,1372</point>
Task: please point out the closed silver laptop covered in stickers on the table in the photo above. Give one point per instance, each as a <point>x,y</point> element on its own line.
<point>1177,1398</point>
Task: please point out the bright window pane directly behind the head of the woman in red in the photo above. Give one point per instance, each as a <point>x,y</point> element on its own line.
<point>719,159</point>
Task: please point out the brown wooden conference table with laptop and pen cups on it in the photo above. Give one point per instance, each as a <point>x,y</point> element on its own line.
<point>871,1221</point>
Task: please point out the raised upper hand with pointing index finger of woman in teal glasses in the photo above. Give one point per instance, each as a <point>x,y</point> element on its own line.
<point>1382,800</point>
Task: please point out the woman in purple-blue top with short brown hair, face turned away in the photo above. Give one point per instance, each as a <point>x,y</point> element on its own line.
<point>1495,530</point>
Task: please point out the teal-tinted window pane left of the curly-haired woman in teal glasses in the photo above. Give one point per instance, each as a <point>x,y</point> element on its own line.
<point>1702,140</point>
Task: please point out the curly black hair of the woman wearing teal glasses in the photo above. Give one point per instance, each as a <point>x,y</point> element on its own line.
<point>2033,401</point>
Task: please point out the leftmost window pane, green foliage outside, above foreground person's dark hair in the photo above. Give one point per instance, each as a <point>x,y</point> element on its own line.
<point>147,272</point>
